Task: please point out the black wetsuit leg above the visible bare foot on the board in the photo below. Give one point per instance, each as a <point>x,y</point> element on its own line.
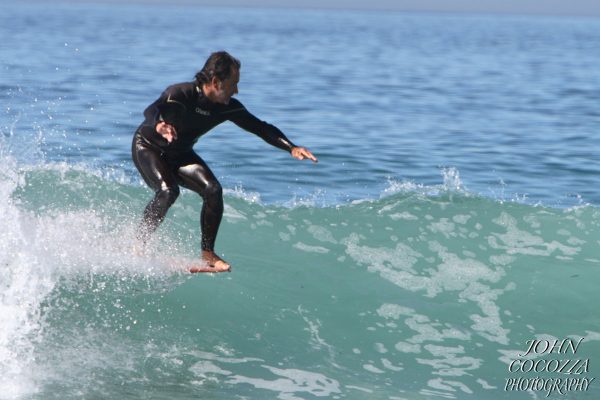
<point>195,175</point>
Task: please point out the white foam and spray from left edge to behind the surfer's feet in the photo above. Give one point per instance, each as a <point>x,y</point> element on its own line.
<point>36,253</point>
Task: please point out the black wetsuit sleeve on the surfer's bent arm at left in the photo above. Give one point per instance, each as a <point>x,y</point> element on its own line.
<point>169,107</point>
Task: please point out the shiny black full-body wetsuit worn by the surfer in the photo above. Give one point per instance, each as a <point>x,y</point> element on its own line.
<point>164,166</point>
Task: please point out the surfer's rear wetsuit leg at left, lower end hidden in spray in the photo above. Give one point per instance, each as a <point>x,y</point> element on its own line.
<point>159,175</point>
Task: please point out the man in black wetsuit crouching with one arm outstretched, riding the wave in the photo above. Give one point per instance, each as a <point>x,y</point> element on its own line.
<point>163,152</point>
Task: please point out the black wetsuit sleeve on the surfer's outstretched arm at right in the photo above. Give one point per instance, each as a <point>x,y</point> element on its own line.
<point>239,115</point>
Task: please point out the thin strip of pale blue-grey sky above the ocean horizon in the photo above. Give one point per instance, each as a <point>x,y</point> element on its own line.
<point>542,7</point>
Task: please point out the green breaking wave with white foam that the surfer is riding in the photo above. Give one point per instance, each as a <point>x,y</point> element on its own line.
<point>425,292</point>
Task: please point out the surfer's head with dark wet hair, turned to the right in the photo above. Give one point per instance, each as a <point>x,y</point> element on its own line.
<point>219,77</point>
